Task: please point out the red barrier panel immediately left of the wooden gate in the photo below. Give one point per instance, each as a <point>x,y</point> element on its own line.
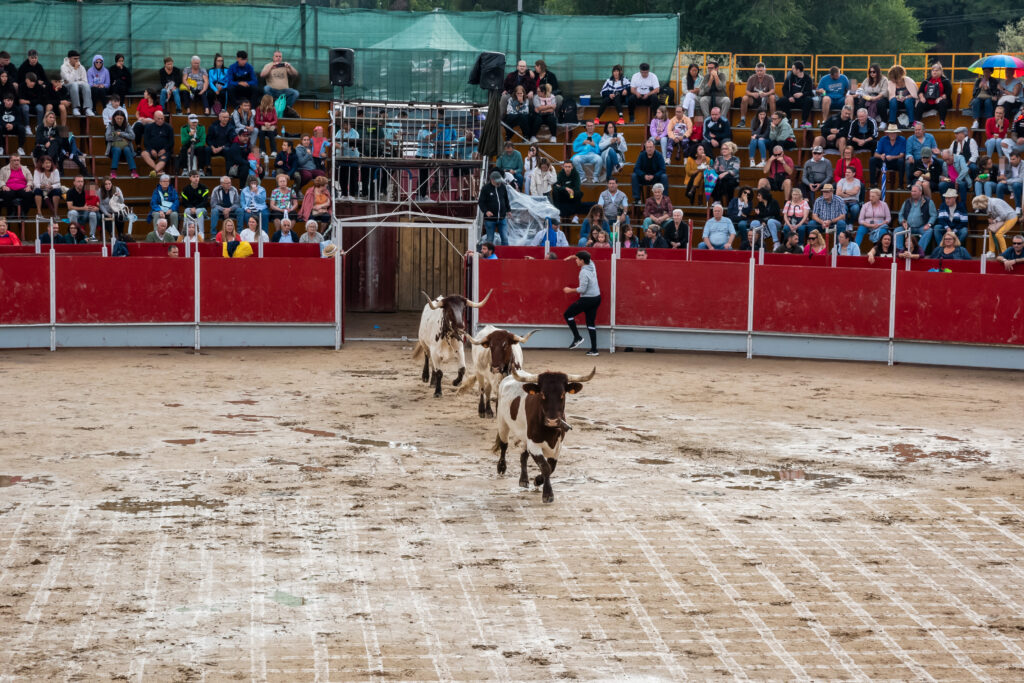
<point>269,290</point>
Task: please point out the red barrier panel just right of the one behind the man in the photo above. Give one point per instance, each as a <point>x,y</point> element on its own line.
<point>674,294</point>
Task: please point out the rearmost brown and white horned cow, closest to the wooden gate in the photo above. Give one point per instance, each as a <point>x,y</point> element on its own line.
<point>443,329</point>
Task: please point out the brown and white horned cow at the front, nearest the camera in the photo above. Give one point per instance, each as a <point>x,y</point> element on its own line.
<point>532,410</point>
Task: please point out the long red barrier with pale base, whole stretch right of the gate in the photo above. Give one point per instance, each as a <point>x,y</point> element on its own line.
<point>770,305</point>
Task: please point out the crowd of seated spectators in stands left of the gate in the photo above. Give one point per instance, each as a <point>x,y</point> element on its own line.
<point>245,135</point>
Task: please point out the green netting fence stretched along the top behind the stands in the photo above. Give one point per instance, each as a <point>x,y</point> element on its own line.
<point>411,57</point>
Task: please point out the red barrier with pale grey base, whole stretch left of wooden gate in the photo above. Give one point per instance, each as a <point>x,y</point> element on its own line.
<point>57,300</point>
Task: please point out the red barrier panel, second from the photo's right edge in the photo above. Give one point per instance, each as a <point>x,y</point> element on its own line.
<point>816,302</point>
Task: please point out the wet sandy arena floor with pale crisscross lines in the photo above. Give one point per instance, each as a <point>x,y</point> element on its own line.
<point>301,516</point>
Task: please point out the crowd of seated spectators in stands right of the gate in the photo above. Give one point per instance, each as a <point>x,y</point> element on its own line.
<point>875,129</point>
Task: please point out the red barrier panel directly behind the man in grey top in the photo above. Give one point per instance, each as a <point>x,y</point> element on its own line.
<point>531,292</point>
